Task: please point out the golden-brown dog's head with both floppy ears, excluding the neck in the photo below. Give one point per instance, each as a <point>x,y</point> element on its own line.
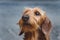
<point>32,19</point>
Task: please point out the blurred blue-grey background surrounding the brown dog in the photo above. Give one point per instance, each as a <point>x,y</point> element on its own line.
<point>11,12</point>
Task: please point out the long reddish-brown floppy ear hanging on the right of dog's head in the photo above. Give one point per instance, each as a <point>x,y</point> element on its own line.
<point>46,26</point>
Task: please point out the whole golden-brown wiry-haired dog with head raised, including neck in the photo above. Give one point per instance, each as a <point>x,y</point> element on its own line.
<point>35,24</point>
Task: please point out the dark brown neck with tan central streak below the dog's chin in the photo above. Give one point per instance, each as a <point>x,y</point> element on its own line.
<point>35,35</point>
